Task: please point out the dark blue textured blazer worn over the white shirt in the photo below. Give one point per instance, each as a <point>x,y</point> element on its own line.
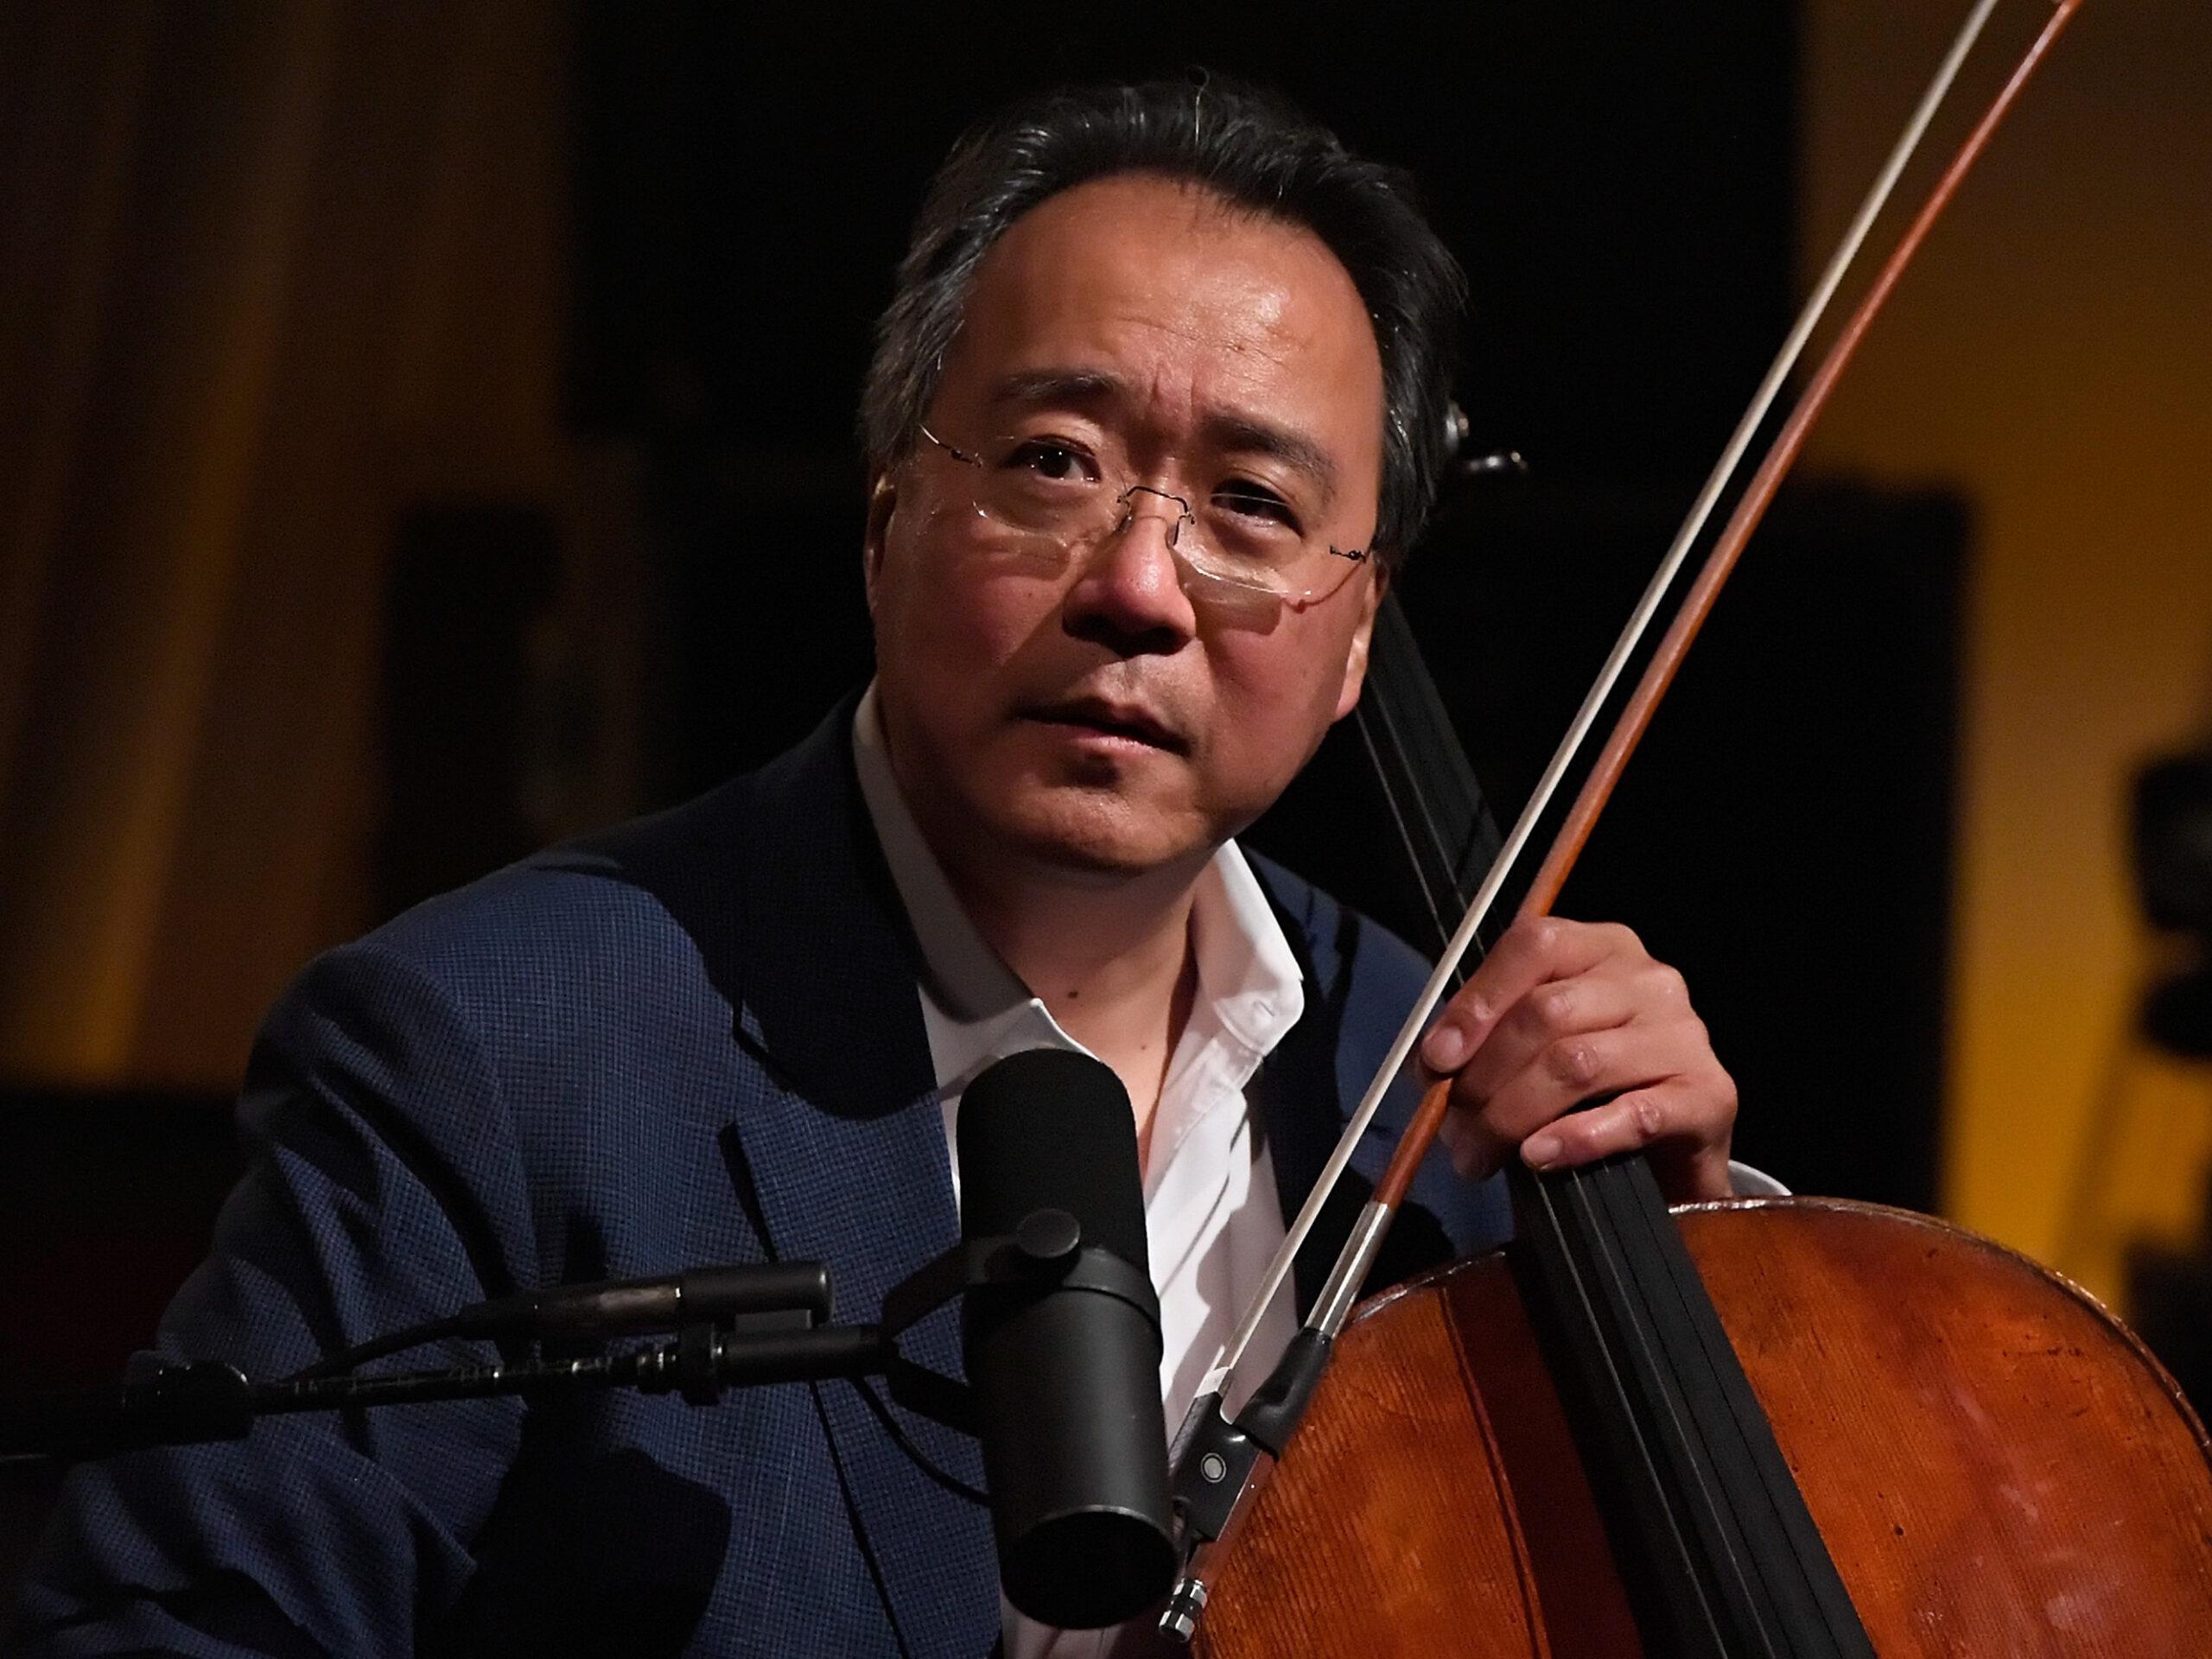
<point>689,1041</point>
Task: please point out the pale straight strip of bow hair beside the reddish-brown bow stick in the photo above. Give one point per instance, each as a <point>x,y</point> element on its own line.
<point>1603,689</point>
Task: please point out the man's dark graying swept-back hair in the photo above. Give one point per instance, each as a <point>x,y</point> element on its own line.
<point>1253,152</point>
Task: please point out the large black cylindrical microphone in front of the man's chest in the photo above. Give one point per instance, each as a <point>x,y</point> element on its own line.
<point>1067,1375</point>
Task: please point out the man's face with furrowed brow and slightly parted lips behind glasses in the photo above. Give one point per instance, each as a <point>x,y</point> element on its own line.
<point>1087,716</point>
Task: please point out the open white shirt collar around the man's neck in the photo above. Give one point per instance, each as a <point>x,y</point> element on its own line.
<point>1249,974</point>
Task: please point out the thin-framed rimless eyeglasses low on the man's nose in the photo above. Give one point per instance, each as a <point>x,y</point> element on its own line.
<point>1242,545</point>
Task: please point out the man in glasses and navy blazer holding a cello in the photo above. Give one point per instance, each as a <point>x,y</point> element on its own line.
<point>1156,413</point>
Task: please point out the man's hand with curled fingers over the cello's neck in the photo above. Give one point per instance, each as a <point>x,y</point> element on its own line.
<point>1567,1012</point>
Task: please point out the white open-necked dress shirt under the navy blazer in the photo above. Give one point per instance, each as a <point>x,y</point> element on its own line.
<point>1211,1211</point>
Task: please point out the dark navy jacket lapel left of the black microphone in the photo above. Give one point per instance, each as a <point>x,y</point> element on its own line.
<point>846,1158</point>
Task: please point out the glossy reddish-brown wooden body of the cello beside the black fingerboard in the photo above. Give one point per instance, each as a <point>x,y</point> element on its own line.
<point>1996,1465</point>
